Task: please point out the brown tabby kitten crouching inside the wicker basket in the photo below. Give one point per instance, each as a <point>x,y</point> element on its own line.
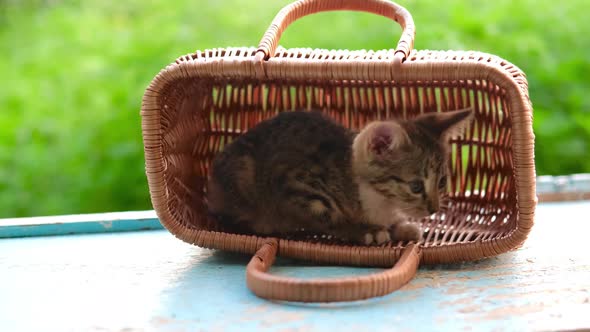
<point>301,170</point>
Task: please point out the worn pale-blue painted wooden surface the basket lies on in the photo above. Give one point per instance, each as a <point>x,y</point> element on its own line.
<point>145,281</point>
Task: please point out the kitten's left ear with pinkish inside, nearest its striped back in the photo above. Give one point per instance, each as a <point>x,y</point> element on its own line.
<point>386,136</point>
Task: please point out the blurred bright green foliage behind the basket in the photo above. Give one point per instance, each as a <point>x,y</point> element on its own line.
<point>73,74</point>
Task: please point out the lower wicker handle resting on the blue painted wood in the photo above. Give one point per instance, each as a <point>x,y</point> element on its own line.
<point>327,290</point>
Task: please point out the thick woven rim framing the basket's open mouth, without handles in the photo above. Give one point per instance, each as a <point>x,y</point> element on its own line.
<point>316,64</point>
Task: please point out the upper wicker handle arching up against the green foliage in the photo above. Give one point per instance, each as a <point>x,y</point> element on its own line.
<point>301,8</point>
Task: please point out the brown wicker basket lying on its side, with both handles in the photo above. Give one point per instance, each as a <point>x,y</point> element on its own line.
<point>199,103</point>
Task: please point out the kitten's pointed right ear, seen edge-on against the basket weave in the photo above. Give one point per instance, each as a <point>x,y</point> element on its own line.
<point>447,124</point>
